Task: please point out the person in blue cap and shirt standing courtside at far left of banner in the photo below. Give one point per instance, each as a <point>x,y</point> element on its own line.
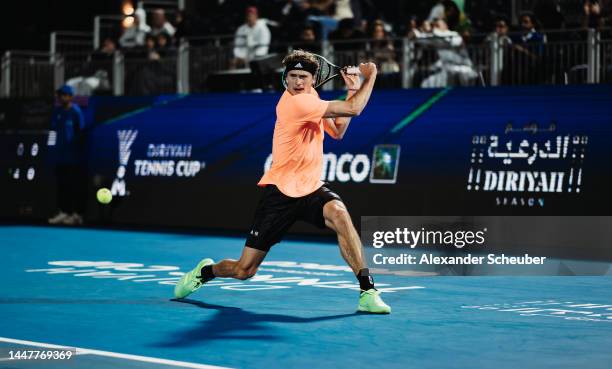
<point>68,123</point>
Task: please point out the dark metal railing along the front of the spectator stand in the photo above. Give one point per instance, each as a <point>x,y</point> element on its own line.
<point>583,56</point>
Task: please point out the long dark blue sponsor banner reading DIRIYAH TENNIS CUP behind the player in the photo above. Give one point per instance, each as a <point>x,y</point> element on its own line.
<point>194,161</point>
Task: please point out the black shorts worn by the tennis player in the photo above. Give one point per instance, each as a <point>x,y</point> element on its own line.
<point>276,213</point>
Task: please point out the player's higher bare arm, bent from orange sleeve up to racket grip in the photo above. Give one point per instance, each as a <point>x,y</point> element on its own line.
<point>355,104</point>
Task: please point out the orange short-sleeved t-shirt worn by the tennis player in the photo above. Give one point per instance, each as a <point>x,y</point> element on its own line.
<point>297,147</point>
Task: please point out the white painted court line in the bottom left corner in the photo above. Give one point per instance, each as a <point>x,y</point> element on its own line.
<point>83,351</point>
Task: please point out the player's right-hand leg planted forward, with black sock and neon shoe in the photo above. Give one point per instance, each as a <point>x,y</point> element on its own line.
<point>338,219</point>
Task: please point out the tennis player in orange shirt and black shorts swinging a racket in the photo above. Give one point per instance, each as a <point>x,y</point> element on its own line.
<point>293,189</point>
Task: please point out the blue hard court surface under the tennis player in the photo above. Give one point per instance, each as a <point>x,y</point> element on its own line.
<point>108,293</point>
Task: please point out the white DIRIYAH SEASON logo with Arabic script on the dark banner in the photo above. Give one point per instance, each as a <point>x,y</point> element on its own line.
<point>521,171</point>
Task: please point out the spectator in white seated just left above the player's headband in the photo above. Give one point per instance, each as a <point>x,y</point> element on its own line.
<point>251,40</point>
